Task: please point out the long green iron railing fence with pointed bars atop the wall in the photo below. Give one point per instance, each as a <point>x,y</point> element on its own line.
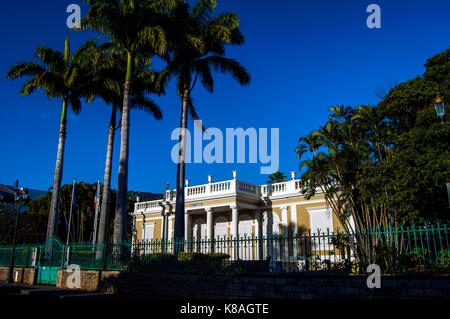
<point>395,249</point>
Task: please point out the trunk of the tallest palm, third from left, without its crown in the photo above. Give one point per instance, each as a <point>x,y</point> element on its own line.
<point>122,187</point>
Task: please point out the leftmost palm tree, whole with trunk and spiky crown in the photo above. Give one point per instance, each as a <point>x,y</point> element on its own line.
<point>61,77</point>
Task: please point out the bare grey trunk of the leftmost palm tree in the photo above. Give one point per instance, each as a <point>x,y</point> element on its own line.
<point>52,224</point>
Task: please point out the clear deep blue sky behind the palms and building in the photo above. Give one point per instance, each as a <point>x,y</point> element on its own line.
<point>303,55</point>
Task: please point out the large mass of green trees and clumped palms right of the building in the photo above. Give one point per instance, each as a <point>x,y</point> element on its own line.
<point>384,164</point>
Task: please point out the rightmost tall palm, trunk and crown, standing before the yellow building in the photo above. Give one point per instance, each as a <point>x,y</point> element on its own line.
<point>197,43</point>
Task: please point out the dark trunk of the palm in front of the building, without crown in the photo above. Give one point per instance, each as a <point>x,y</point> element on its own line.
<point>179,208</point>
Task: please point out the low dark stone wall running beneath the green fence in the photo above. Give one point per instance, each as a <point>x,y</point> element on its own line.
<point>159,285</point>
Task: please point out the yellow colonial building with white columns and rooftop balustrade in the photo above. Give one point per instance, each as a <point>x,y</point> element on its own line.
<point>235,208</point>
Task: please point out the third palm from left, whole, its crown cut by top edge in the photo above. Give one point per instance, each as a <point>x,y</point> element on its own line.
<point>134,28</point>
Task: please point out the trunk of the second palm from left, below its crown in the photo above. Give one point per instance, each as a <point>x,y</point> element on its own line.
<point>103,224</point>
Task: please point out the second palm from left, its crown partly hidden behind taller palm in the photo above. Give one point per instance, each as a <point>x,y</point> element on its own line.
<point>108,72</point>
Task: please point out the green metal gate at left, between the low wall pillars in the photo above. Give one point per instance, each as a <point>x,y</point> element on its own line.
<point>51,259</point>
